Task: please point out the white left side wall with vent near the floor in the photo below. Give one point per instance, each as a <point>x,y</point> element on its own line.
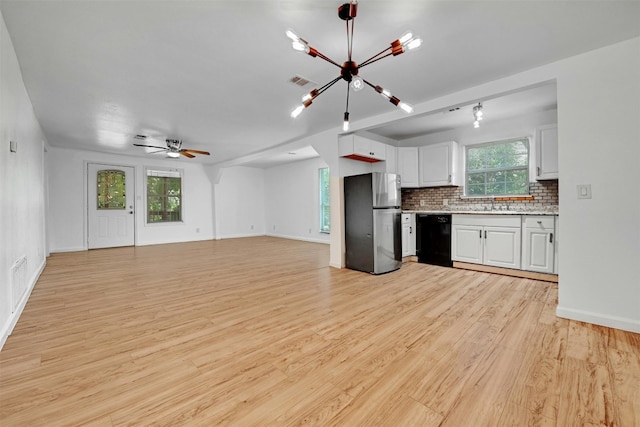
<point>22,210</point>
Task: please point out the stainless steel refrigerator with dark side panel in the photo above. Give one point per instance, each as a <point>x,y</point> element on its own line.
<point>372,222</point>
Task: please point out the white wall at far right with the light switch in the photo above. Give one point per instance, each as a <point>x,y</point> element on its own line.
<point>599,144</point>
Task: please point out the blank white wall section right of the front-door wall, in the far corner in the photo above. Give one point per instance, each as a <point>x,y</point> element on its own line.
<point>239,202</point>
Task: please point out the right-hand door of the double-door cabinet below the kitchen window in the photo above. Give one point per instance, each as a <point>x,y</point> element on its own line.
<point>502,246</point>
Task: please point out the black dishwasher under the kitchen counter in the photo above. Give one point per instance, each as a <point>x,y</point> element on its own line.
<point>433,239</point>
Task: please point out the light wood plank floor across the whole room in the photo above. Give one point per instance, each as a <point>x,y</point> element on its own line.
<point>261,331</point>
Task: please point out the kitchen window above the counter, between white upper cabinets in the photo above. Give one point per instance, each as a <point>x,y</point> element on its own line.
<point>498,168</point>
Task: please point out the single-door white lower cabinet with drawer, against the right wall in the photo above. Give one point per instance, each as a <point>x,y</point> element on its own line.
<point>538,250</point>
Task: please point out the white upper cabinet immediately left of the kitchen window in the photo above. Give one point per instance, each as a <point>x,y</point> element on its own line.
<point>438,164</point>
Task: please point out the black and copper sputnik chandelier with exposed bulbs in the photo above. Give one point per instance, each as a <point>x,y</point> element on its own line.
<point>349,69</point>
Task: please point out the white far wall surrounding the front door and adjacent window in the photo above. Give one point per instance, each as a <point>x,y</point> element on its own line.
<point>68,204</point>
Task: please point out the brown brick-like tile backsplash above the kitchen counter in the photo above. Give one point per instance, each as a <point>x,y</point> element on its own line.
<point>543,196</point>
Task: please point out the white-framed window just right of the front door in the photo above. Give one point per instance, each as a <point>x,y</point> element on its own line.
<point>164,196</point>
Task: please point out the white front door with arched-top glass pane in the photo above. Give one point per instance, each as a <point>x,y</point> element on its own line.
<point>110,213</point>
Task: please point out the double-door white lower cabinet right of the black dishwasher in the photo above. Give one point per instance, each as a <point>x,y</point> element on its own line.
<point>487,239</point>
